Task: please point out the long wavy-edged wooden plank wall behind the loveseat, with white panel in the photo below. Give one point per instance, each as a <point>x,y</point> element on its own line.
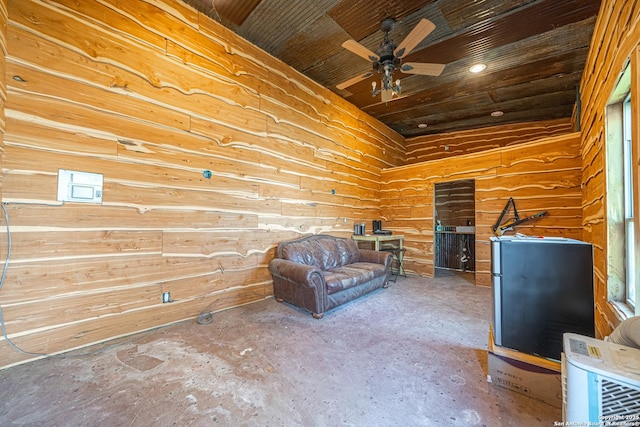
<point>151,94</point>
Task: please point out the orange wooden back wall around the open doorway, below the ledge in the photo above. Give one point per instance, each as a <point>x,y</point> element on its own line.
<point>541,175</point>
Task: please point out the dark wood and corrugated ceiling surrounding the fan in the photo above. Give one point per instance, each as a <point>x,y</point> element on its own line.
<point>535,52</point>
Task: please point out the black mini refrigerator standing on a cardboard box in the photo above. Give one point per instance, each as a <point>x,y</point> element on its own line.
<point>542,287</point>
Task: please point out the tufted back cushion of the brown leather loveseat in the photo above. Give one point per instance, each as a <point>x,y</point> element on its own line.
<point>324,252</point>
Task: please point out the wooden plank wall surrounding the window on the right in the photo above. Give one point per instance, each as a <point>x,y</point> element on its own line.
<point>615,40</point>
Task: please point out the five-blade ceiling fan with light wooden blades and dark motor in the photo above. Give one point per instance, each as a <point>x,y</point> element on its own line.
<point>388,58</point>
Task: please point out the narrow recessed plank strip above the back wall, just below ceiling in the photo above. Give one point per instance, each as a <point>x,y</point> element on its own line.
<point>453,144</point>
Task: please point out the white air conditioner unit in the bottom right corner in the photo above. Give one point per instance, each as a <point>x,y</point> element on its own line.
<point>600,382</point>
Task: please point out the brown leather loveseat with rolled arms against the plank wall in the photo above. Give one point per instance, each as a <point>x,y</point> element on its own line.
<point>320,272</point>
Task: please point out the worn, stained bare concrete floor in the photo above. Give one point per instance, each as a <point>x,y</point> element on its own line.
<point>410,355</point>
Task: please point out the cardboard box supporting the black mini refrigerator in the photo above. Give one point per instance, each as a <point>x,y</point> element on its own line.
<point>533,376</point>
